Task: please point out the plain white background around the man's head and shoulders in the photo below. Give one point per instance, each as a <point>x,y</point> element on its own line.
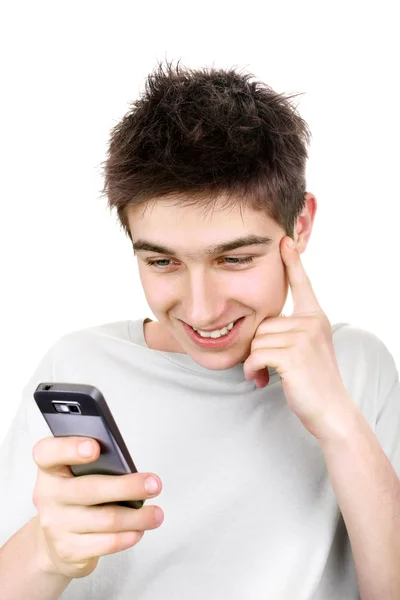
<point>69,71</point>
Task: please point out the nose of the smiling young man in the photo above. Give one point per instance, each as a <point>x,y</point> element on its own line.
<point>203,302</point>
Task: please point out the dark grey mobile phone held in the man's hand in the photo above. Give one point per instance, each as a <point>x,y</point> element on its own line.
<point>74,409</point>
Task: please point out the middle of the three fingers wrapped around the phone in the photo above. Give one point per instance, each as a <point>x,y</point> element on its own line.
<point>88,490</point>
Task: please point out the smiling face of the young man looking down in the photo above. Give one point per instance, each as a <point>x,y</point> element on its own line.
<point>191,281</point>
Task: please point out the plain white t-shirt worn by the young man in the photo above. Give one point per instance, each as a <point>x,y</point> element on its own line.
<point>250,513</point>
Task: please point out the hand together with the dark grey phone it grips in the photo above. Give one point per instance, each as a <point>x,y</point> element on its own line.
<point>85,503</point>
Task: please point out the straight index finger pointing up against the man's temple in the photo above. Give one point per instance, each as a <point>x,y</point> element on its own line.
<point>304,299</point>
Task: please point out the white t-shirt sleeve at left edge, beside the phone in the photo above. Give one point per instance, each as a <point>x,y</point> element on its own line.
<point>18,470</point>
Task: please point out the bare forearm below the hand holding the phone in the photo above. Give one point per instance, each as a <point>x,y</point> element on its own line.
<point>21,573</point>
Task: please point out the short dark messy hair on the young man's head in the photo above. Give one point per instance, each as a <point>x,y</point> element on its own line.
<point>204,135</point>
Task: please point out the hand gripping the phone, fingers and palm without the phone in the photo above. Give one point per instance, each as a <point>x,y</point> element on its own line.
<point>79,519</point>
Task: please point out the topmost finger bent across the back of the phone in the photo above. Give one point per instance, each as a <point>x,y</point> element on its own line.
<point>52,454</point>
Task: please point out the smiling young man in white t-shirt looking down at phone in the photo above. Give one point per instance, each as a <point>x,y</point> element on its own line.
<point>275,438</point>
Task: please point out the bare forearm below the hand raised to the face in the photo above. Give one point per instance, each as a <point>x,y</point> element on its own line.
<point>368,493</point>
